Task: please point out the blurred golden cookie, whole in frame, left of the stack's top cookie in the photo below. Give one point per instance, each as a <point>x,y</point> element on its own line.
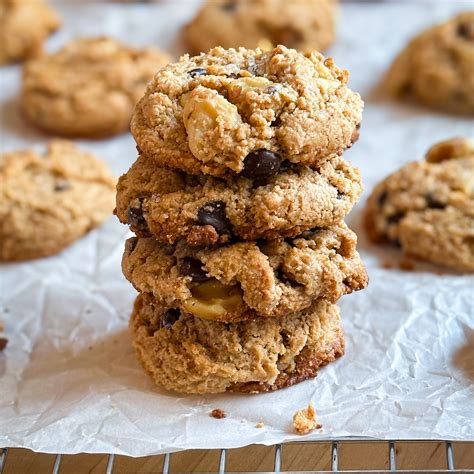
<point>88,88</point>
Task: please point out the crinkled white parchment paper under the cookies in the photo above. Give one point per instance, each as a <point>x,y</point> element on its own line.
<point>69,380</point>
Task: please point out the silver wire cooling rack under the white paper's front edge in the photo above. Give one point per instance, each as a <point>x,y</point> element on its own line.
<point>278,457</point>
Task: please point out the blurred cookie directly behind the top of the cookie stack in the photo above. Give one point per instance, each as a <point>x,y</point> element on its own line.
<point>300,24</point>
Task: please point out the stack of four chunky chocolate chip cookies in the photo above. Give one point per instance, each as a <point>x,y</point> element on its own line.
<point>237,201</point>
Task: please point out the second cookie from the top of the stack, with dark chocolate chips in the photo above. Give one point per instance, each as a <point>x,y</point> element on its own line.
<point>172,205</point>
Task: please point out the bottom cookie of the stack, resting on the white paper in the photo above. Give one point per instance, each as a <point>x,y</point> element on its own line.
<point>190,355</point>
